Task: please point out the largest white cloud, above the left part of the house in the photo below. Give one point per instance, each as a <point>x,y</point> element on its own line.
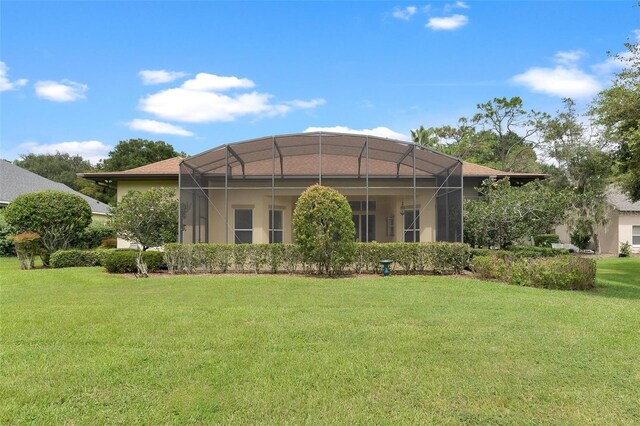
<point>198,101</point>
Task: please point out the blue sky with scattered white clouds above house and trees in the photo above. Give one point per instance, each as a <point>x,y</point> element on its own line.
<point>78,77</point>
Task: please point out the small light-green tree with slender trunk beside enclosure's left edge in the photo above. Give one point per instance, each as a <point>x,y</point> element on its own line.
<point>149,219</point>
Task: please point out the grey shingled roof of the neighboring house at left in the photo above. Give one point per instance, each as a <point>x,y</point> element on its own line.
<point>15,181</point>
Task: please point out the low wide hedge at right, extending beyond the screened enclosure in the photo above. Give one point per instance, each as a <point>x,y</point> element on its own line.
<point>562,272</point>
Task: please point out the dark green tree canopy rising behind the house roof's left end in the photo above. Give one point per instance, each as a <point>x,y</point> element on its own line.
<point>137,152</point>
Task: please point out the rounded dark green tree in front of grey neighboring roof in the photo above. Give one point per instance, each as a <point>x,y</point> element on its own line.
<point>57,216</point>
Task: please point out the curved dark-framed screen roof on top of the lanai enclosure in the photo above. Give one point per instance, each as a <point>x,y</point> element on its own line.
<point>328,154</point>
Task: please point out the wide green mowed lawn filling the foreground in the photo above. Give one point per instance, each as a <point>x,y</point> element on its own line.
<point>80,346</point>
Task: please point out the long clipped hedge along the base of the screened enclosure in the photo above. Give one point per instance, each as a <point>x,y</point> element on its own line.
<point>439,258</point>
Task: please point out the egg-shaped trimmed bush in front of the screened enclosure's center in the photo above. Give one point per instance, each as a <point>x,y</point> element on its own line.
<point>323,227</point>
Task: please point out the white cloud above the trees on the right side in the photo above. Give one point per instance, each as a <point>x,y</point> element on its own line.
<point>559,81</point>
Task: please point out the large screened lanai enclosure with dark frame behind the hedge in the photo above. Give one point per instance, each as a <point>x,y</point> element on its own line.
<point>245,192</point>
